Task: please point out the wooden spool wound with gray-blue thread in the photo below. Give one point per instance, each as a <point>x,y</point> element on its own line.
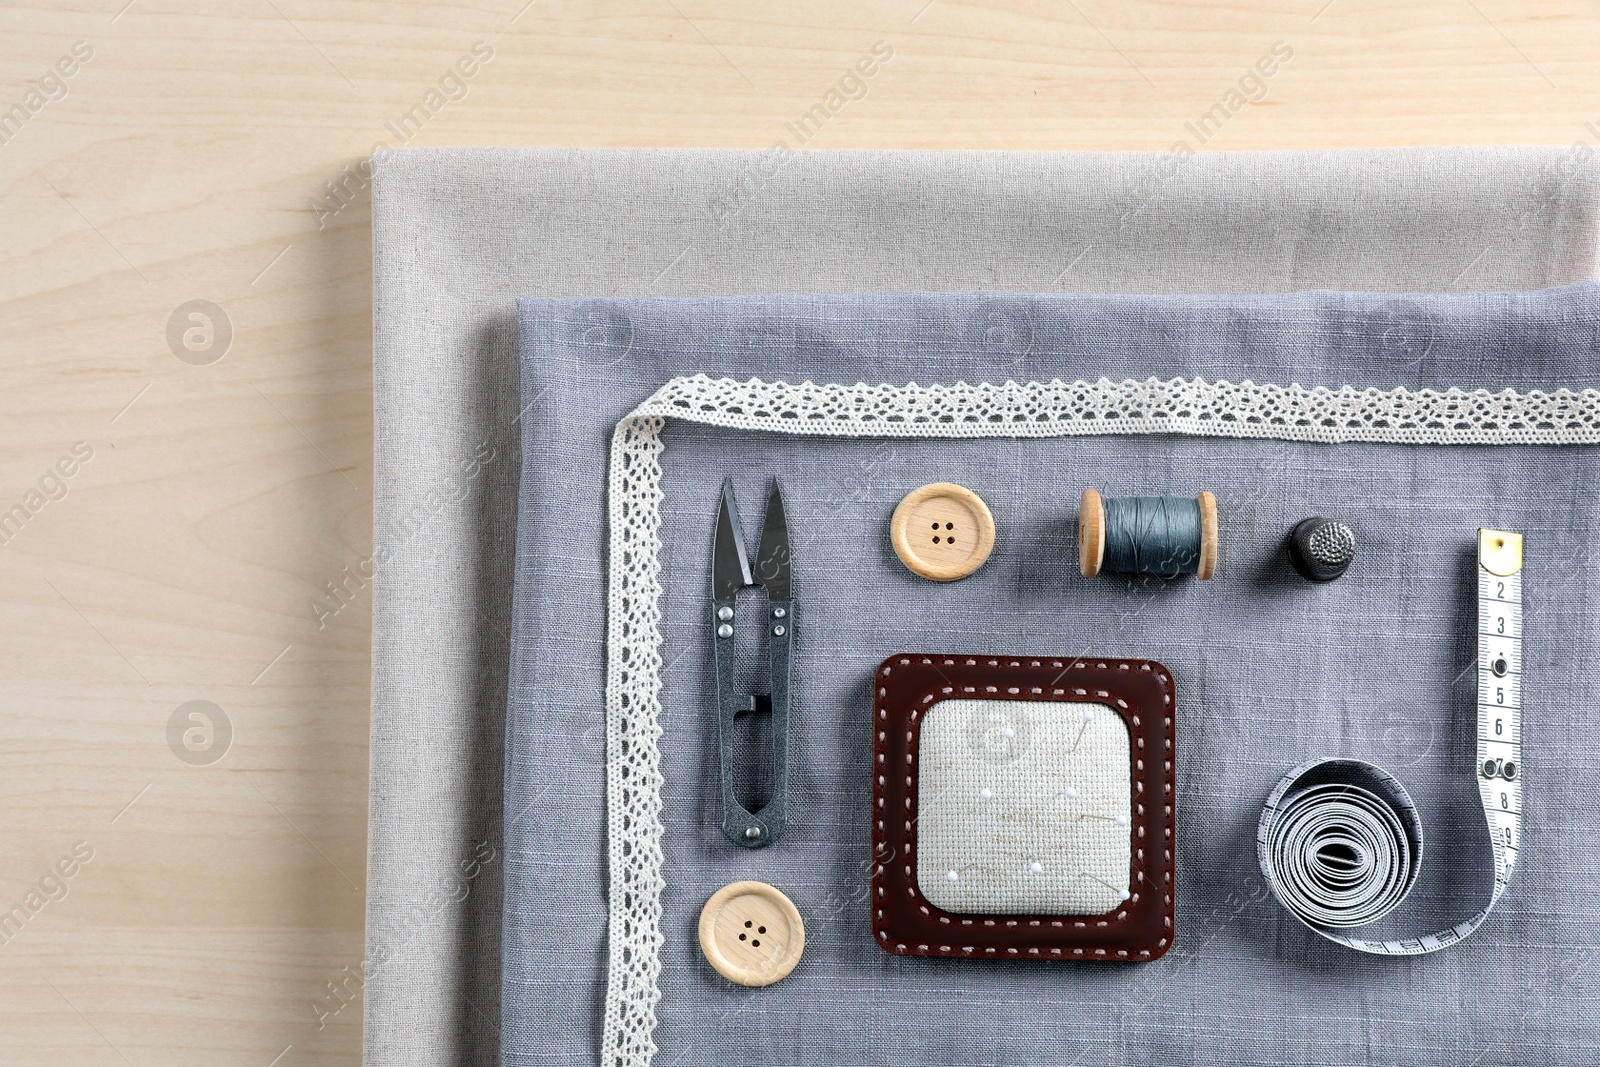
<point>1151,535</point>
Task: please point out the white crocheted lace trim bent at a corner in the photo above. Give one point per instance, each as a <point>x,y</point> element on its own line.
<point>961,410</point>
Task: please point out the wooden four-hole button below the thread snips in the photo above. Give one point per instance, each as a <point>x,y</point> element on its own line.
<point>751,933</point>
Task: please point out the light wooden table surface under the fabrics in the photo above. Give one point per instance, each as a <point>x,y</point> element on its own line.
<point>183,884</point>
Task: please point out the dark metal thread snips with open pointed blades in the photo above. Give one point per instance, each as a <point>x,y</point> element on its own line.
<point>730,573</point>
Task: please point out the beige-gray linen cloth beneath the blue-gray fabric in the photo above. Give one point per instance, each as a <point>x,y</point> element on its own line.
<point>460,233</point>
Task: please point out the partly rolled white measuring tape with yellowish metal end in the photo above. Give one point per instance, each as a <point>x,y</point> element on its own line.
<point>1340,841</point>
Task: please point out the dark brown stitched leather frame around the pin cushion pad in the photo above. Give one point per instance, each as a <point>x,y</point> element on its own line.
<point>906,924</point>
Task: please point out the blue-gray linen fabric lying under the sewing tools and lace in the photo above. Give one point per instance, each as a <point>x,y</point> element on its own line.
<point>1271,671</point>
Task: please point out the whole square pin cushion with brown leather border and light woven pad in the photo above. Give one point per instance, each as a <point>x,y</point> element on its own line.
<point>1023,809</point>
